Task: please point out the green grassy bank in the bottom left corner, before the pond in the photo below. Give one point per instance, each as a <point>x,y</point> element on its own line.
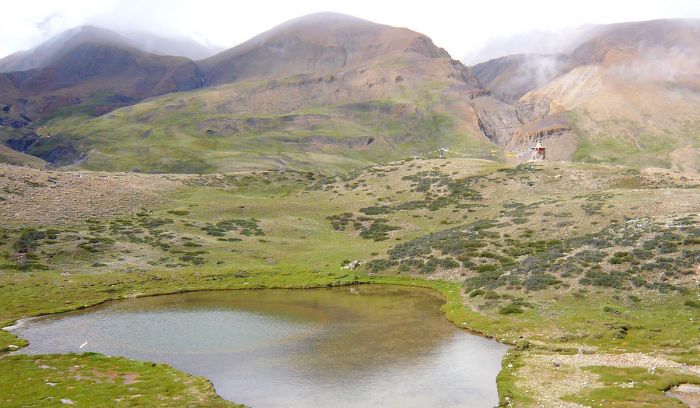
<point>94,380</point>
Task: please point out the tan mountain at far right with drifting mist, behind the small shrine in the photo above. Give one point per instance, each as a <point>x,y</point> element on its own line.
<point>629,94</point>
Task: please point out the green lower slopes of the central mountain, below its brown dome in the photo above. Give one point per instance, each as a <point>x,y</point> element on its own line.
<point>199,132</point>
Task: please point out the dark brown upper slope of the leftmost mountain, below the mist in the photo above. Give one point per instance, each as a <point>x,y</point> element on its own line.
<point>96,75</point>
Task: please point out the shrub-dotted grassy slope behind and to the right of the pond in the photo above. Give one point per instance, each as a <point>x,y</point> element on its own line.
<point>545,257</point>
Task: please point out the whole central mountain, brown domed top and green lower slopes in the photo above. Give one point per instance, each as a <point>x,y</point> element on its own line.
<point>323,92</point>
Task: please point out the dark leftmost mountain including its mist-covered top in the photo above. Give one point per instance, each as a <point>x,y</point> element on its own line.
<point>93,70</point>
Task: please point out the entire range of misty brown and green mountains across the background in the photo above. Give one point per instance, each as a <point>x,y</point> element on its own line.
<point>332,92</point>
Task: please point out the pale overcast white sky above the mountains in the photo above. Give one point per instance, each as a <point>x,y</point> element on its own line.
<point>459,26</point>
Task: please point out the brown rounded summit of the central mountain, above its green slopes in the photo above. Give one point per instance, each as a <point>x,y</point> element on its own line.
<point>319,43</point>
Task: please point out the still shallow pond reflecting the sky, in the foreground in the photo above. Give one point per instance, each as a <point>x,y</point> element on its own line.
<point>364,346</point>
